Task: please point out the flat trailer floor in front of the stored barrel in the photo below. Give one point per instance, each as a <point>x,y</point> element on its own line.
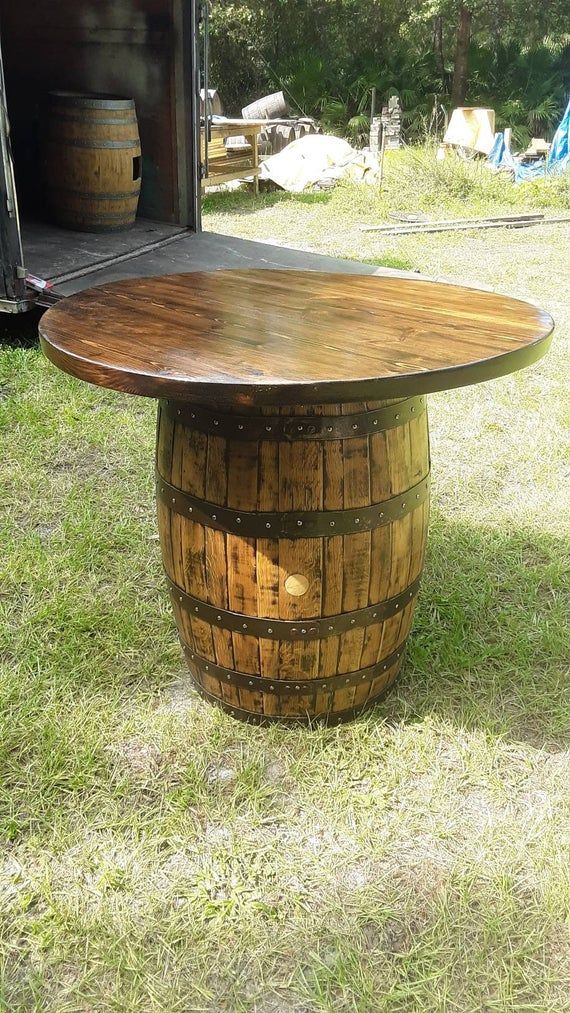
<point>52,253</point>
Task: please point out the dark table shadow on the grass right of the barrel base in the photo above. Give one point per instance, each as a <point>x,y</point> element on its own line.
<point>490,646</point>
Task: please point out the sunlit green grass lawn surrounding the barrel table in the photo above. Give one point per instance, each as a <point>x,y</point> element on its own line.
<point>156,855</point>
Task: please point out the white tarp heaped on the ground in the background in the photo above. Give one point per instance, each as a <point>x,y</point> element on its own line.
<point>318,159</point>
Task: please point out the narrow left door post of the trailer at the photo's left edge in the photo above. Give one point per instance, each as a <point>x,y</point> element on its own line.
<point>13,274</point>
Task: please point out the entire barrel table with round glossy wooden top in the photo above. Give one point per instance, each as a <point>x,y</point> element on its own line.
<point>293,460</point>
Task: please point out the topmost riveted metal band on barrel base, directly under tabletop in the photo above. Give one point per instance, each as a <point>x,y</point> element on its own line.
<point>290,428</point>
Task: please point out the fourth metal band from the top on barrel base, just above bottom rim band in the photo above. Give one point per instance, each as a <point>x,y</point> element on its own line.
<point>287,687</point>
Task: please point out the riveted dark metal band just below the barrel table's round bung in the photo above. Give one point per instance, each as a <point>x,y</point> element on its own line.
<point>286,630</point>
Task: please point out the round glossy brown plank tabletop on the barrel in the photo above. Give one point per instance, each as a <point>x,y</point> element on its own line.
<point>284,337</point>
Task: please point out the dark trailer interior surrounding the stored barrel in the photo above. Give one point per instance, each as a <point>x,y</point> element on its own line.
<point>140,49</point>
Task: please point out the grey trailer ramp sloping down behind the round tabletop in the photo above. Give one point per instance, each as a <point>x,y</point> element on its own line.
<point>211,252</point>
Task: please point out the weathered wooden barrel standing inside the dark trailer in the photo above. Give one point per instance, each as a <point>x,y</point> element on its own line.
<point>92,159</point>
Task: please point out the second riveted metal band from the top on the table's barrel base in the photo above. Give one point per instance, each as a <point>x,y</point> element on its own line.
<point>313,524</point>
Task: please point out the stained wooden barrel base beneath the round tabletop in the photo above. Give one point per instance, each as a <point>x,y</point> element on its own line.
<point>293,540</point>
